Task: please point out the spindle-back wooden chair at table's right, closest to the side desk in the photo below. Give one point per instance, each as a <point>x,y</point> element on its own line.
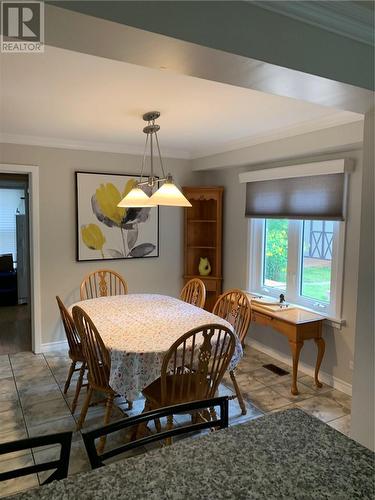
<point>234,307</point>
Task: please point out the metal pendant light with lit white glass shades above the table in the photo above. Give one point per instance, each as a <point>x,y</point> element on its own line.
<point>167,193</point>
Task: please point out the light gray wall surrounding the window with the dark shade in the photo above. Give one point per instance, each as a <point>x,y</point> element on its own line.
<point>339,343</point>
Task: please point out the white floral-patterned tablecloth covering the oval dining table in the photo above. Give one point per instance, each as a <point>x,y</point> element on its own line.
<point>138,329</point>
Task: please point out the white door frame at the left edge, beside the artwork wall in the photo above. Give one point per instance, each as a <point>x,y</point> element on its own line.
<point>34,227</point>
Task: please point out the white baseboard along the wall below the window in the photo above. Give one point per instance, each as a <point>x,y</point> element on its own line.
<point>328,379</point>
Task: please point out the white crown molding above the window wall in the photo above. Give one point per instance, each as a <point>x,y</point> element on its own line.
<point>306,127</point>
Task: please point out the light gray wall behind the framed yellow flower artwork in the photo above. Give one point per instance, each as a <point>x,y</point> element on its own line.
<point>60,273</point>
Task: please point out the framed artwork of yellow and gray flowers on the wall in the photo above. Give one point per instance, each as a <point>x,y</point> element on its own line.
<point>105,231</point>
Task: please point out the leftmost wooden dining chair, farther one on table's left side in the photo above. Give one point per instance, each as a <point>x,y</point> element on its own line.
<point>75,351</point>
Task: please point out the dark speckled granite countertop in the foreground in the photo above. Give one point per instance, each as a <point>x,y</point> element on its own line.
<point>284,455</point>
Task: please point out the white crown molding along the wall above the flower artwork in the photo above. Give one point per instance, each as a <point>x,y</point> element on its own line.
<point>104,147</point>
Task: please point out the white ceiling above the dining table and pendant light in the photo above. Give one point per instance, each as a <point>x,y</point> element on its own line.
<point>68,99</point>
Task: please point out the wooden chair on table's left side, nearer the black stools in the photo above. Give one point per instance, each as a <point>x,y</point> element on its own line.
<point>98,363</point>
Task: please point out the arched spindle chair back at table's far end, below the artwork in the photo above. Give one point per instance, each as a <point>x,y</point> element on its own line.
<point>102,283</point>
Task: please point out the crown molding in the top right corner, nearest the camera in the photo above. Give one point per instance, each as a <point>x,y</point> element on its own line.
<point>350,19</point>
